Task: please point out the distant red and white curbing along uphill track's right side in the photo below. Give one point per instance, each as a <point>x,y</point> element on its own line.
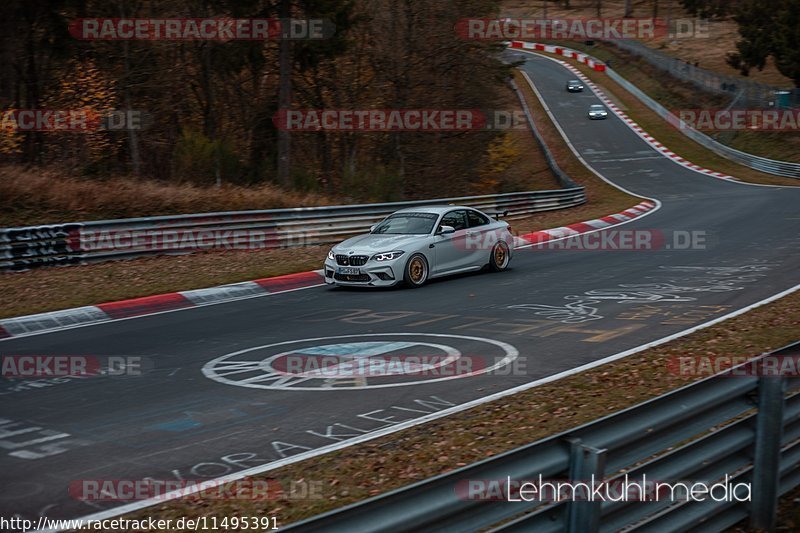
<point>595,64</point>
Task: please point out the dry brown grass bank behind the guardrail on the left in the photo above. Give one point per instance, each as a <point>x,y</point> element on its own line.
<point>44,196</point>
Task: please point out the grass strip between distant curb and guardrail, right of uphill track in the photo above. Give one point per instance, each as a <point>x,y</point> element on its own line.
<point>670,136</point>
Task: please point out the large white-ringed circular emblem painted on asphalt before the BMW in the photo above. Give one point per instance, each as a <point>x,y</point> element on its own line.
<point>365,361</point>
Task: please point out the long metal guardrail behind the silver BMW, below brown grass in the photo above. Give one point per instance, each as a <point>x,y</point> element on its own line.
<point>84,242</point>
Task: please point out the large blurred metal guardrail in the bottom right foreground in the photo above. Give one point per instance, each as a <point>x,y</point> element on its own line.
<point>747,428</point>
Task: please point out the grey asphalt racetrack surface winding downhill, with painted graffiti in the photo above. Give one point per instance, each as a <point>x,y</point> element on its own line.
<point>575,307</point>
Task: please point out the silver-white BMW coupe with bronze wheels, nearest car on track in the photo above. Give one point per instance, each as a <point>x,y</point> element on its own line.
<point>416,244</point>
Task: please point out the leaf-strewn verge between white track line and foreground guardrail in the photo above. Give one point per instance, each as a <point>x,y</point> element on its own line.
<point>371,468</point>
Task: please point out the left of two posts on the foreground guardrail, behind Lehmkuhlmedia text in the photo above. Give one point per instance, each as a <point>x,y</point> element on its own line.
<point>587,464</point>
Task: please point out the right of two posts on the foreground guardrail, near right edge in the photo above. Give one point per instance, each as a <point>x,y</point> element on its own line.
<point>767,460</point>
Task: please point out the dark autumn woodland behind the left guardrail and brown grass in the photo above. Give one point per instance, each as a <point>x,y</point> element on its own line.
<point>210,104</point>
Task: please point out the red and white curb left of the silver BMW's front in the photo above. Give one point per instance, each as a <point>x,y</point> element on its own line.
<point>149,305</point>
